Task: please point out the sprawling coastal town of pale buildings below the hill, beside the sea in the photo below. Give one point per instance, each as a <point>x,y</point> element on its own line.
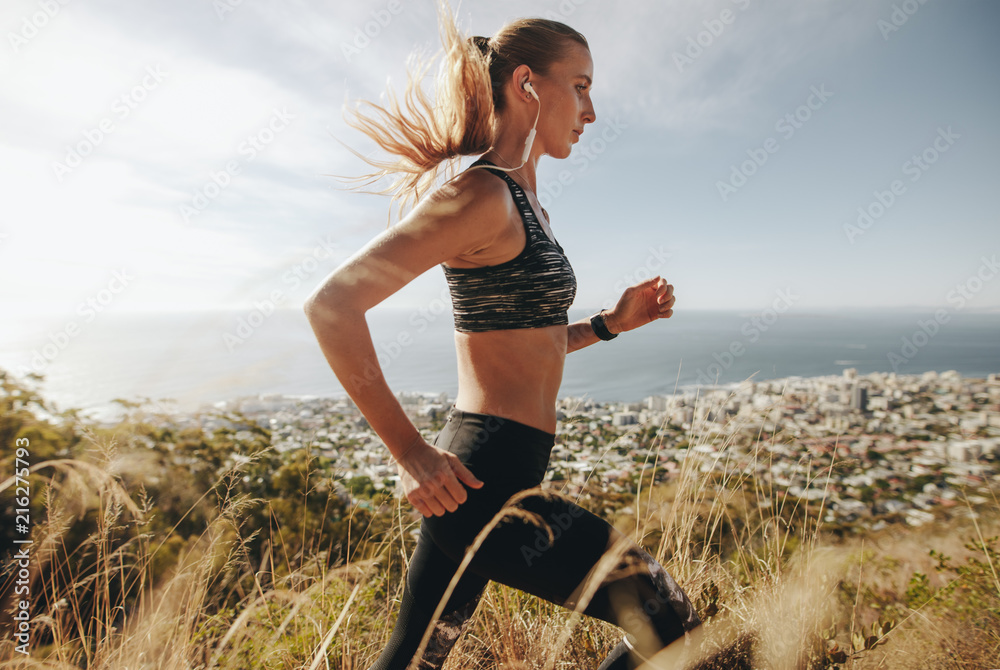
<point>875,449</point>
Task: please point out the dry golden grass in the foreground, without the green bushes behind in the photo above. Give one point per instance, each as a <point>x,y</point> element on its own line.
<point>781,582</point>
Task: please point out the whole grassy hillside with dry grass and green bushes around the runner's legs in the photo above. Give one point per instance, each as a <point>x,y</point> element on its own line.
<point>166,544</point>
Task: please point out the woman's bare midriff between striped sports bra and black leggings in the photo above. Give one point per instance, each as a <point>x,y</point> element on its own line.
<point>513,374</point>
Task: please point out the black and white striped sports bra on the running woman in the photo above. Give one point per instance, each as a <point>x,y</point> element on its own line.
<point>532,290</point>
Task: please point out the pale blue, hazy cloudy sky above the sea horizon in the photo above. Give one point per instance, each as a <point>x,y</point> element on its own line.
<point>175,156</point>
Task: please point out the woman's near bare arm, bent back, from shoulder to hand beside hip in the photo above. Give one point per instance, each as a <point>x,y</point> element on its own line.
<point>457,219</point>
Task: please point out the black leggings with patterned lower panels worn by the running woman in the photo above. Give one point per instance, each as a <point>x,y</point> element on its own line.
<point>509,457</point>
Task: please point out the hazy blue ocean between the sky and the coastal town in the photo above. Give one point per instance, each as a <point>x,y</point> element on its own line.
<point>204,357</point>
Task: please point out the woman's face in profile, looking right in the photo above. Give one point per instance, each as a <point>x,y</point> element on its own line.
<point>564,95</point>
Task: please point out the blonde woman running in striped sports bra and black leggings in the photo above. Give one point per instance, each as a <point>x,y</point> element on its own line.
<point>512,98</point>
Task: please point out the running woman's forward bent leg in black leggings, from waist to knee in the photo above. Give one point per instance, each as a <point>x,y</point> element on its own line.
<point>635,593</point>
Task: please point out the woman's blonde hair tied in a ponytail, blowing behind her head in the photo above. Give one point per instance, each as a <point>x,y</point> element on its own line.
<point>462,120</point>
